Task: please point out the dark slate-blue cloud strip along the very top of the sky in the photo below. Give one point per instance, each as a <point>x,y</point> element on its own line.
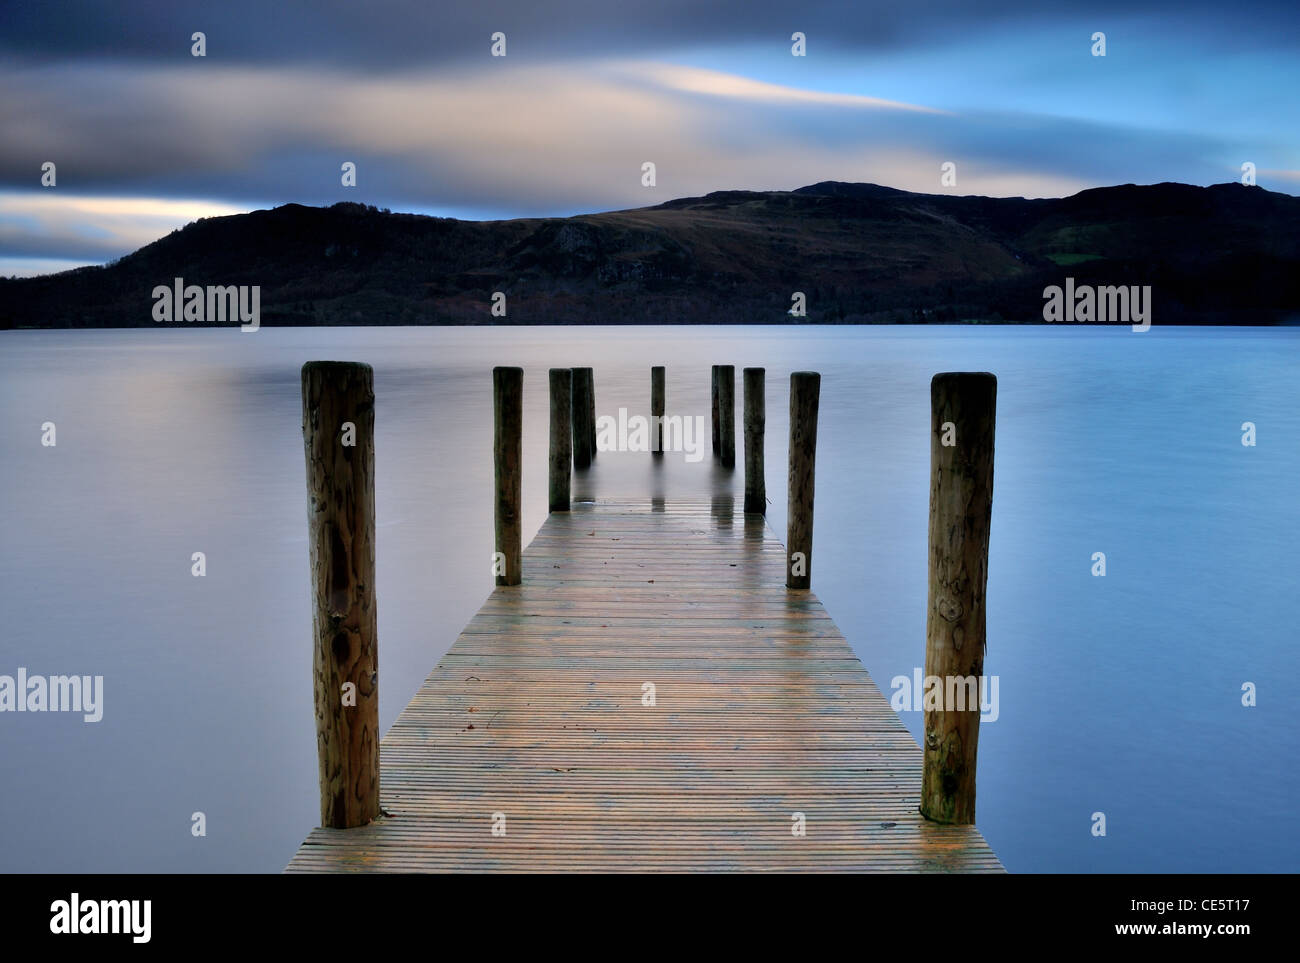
<point>405,33</point>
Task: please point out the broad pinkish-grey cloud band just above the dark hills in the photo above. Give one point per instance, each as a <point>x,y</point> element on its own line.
<point>522,138</point>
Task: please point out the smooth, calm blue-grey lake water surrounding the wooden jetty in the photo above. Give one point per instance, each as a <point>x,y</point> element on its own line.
<point>1120,695</point>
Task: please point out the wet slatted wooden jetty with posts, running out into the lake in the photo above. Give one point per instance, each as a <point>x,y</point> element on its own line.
<point>651,696</point>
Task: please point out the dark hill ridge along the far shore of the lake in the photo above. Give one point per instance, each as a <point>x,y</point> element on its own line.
<point>1227,254</point>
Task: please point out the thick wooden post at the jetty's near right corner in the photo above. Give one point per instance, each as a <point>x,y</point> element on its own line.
<point>961,500</point>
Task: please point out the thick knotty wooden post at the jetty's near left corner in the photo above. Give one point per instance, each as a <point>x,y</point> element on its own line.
<point>339,440</point>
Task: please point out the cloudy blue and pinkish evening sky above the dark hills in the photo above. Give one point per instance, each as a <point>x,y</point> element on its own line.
<point>146,137</point>
